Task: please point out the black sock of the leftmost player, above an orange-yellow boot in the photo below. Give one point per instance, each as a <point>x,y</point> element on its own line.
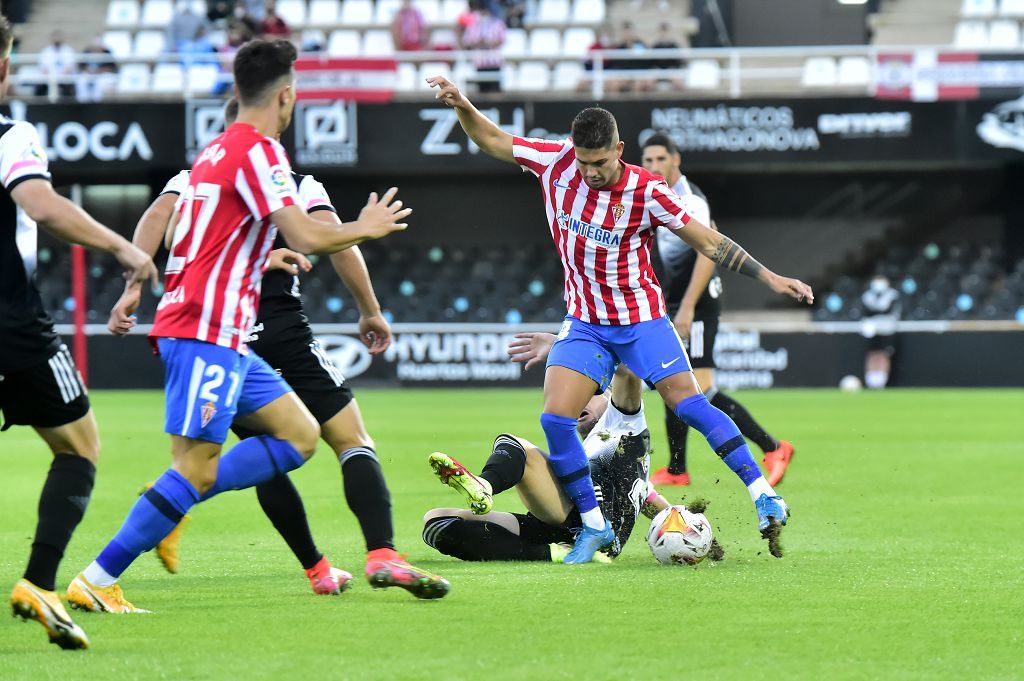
<point>62,506</point>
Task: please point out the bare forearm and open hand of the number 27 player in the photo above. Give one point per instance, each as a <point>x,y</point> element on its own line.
<point>378,219</point>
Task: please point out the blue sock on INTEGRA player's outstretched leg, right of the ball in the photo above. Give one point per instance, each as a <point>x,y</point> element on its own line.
<point>726,439</point>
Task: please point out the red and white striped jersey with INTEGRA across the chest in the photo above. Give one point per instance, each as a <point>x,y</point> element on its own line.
<point>605,236</point>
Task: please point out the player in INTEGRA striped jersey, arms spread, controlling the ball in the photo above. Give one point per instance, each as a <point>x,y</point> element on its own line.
<point>603,215</point>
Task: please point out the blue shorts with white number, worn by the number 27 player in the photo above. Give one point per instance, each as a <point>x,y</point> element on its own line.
<point>207,387</point>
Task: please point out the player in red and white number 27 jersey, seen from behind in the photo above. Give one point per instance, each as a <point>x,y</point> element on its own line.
<point>241,192</point>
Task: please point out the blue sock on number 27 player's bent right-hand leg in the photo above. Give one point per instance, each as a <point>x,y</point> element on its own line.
<point>254,461</point>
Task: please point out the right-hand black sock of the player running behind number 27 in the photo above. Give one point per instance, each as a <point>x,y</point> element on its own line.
<point>368,496</point>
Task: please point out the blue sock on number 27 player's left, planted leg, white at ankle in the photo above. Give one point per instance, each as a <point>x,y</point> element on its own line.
<point>150,521</point>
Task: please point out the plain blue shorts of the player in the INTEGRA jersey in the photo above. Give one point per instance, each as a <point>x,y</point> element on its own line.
<point>653,350</point>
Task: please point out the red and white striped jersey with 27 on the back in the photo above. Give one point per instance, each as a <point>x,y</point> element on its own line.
<point>223,239</point>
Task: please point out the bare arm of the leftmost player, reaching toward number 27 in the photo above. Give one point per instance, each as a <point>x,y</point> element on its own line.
<point>72,225</point>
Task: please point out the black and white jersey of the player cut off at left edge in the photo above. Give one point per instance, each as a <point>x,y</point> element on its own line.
<point>27,335</point>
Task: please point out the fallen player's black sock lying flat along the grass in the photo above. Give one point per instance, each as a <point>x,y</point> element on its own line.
<point>481,540</point>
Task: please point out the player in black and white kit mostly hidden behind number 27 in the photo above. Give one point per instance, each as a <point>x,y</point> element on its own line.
<point>282,336</point>
